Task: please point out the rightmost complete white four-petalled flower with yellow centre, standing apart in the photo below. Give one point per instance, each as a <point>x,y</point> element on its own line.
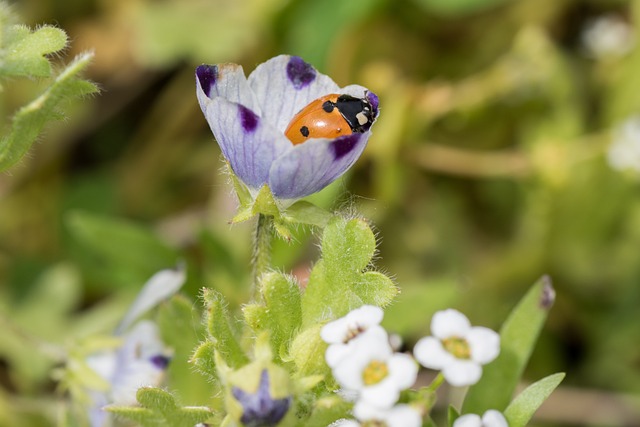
<point>456,348</point>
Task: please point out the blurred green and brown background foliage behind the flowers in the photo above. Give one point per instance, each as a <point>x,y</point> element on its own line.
<point>487,169</point>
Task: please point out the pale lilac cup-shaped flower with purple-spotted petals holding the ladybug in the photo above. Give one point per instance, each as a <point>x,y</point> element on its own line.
<point>248,117</point>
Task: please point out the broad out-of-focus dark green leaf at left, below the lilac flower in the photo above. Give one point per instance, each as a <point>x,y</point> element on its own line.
<point>118,251</point>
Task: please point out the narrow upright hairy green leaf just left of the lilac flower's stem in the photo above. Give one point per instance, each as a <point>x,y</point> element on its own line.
<point>220,330</point>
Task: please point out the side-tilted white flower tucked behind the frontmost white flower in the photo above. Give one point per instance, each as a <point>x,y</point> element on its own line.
<point>341,333</point>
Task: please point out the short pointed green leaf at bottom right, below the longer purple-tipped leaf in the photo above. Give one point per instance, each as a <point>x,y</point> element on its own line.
<point>520,411</point>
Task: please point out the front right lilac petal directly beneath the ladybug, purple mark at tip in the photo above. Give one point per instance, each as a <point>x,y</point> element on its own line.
<point>309,167</point>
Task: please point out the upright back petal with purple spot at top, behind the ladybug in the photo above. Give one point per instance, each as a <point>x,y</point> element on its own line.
<point>284,85</point>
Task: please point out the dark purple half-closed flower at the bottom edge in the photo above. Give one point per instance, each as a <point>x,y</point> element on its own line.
<point>259,408</point>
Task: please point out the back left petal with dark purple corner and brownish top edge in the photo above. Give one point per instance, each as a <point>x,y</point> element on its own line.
<point>226,81</point>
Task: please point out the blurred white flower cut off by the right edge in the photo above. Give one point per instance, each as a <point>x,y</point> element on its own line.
<point>624,152</point>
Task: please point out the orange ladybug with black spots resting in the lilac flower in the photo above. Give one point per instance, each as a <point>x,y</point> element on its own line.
<point>331,116</point>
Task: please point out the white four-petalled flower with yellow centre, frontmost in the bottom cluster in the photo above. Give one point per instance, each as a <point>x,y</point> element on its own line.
<point>375,371</point>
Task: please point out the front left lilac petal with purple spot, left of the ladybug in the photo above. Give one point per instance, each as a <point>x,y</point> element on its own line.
<point>247,141</point>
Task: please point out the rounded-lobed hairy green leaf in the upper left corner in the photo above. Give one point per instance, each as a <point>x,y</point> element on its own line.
<point>24,51</point>
